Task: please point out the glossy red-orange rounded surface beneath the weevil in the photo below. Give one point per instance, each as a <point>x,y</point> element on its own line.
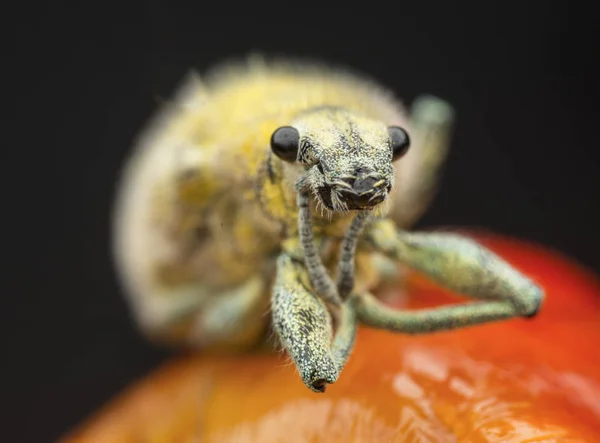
<point>517,381</point>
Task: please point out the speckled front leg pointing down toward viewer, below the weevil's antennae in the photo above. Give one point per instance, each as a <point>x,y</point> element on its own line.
<point>305,328</point>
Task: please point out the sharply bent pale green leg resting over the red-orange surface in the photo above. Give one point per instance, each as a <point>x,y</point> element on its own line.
<point>461,265</point>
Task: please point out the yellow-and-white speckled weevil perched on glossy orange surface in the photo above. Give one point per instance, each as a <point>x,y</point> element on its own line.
<point>277,196</point>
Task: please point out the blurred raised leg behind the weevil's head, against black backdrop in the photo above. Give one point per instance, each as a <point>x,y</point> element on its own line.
<point>418,171</point>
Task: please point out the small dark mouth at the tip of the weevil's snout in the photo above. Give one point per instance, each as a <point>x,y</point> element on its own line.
<point>364,190</point>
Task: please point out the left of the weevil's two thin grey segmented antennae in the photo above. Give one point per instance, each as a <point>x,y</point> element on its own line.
<point>317,273</point>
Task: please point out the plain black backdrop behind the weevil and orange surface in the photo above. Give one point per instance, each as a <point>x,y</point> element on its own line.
<point>525,162</point>
